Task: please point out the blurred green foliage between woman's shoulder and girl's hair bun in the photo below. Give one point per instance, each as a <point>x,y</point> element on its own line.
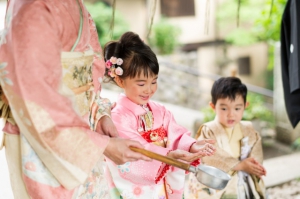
<point>102,14</point>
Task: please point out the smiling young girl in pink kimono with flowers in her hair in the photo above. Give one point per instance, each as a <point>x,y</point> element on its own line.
<point>133,66</point>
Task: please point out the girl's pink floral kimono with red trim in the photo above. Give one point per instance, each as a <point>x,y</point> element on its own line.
<point>147,179</point>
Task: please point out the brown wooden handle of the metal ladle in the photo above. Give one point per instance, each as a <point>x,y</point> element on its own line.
<point>161,158</point>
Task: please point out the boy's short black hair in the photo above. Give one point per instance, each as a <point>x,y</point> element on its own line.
<point>229,87</point>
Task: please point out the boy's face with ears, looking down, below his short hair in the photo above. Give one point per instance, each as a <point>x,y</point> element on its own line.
<point>229,112</point>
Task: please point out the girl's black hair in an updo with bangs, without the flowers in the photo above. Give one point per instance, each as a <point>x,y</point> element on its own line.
<point>138,58</point>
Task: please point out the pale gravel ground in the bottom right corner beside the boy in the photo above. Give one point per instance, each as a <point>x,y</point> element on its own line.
<point>289,190</point>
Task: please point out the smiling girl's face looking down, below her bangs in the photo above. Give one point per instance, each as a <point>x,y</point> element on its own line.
<point>140,89</point>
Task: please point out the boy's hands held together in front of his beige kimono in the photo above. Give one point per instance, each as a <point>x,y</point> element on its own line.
<point>251,166</point>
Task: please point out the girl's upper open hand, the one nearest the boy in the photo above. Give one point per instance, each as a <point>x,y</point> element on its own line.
<point>204,147</point>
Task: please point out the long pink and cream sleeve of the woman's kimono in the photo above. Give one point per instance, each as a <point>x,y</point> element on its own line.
<point>42,109</point>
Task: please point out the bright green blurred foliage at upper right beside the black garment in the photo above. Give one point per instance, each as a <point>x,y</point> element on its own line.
<point>258,21</point>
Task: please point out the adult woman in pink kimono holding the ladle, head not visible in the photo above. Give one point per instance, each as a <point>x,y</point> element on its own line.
<point>50,64</point>
